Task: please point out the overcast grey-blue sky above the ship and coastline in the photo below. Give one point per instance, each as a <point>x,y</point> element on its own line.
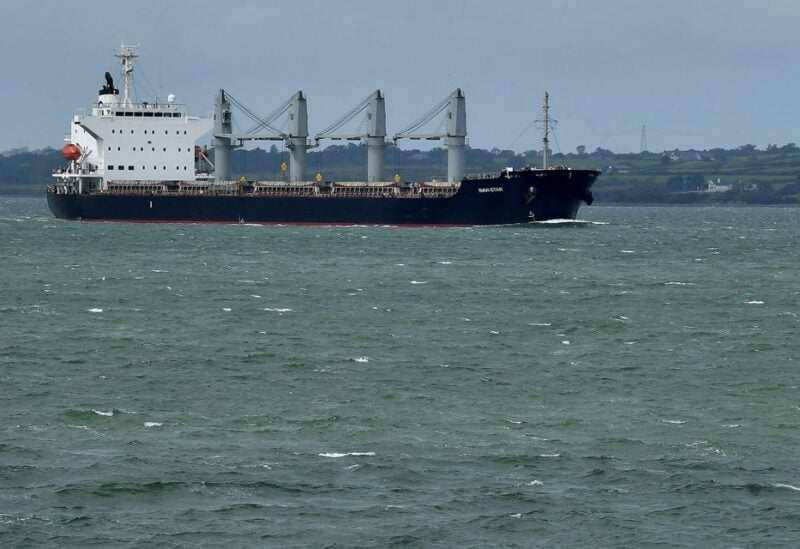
<point>697,73</point>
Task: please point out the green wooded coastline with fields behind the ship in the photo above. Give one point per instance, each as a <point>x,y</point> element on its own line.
<point>744,175</point>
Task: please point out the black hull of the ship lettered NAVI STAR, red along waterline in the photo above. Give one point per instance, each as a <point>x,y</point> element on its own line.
<point>519,197</point>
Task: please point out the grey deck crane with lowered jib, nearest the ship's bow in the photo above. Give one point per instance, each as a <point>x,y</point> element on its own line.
<point>455,136</point>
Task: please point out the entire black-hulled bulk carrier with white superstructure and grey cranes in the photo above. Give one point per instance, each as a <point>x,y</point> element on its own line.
<point>141,162</point>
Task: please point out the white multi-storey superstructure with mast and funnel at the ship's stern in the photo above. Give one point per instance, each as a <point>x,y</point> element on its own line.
<point>126,142</point>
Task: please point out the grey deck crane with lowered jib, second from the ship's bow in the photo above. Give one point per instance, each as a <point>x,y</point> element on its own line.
<point>374,135</point>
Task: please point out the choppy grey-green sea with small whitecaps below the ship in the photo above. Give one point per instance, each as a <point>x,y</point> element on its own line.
<point>627,382</point>
